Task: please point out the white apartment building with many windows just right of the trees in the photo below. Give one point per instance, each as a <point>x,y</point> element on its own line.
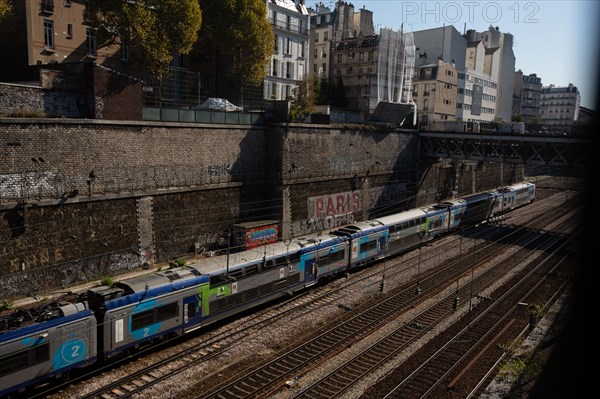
<point>289,64</point>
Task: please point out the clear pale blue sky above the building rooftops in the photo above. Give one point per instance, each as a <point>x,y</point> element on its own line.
<point>555,39</point>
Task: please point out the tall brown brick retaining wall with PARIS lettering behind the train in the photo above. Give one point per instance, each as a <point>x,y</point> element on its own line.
<point>80,199</point>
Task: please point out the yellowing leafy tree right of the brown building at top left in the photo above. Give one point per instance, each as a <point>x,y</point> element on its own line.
<point>153,30</point>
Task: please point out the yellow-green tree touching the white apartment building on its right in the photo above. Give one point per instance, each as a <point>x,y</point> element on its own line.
<point>241,30</point>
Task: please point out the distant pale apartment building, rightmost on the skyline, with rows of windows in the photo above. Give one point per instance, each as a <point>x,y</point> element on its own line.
<point>559,108</point>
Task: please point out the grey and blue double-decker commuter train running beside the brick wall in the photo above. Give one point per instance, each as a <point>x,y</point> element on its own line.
<point>106,321</point>
